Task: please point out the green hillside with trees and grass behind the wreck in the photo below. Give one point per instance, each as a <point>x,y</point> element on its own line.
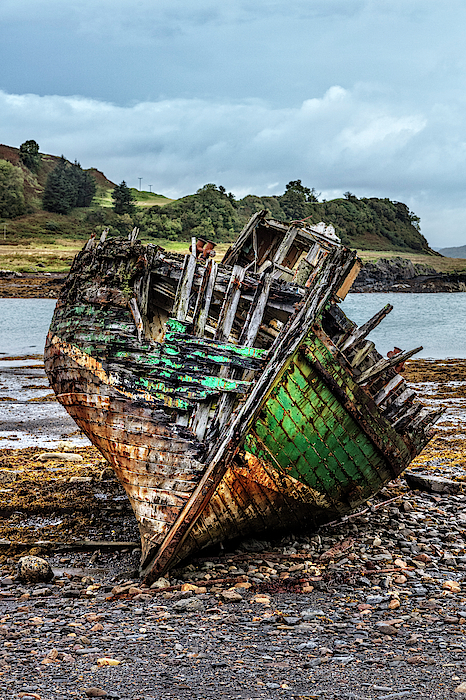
<point>211,213</point>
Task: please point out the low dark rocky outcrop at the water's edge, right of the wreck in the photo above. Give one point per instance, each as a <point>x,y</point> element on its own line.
<point>401,275</point>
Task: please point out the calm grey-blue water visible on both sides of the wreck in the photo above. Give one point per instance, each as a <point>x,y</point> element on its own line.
<point>436,321</point>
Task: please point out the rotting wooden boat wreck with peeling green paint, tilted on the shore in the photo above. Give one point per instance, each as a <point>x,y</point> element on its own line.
<point>230,398</point>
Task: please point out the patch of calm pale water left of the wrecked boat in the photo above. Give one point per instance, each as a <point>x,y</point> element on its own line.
<point>23,325</point>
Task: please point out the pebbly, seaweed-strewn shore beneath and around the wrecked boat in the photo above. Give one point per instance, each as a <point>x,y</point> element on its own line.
<point>372,607</point>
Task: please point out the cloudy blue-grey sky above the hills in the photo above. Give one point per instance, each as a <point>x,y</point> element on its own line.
<point>366,96</point>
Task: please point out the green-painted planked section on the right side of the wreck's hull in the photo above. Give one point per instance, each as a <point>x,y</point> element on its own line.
<point>305,432</point>
